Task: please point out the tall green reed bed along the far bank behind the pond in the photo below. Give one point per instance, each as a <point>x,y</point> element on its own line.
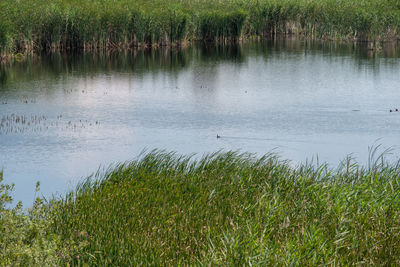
<point>31,25</point>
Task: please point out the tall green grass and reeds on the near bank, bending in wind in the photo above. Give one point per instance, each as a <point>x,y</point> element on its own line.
<point>226,208</point>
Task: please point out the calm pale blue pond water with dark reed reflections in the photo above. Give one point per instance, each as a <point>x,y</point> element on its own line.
<point>62,117</point>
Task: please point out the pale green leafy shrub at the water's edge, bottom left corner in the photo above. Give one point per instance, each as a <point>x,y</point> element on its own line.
<point>27,237</point>
